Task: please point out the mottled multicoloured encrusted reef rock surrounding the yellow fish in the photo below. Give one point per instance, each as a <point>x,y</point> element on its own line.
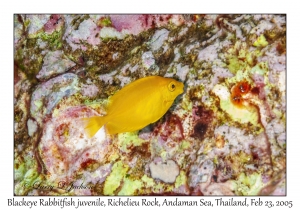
<point>224,135</point>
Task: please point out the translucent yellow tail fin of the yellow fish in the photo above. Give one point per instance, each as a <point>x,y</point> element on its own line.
<point>92,125</point>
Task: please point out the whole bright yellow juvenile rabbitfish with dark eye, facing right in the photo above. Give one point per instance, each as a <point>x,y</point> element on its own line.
<point>135,106</point>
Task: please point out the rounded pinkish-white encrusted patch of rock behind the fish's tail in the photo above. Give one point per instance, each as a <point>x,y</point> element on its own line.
<point>64,148</point>
